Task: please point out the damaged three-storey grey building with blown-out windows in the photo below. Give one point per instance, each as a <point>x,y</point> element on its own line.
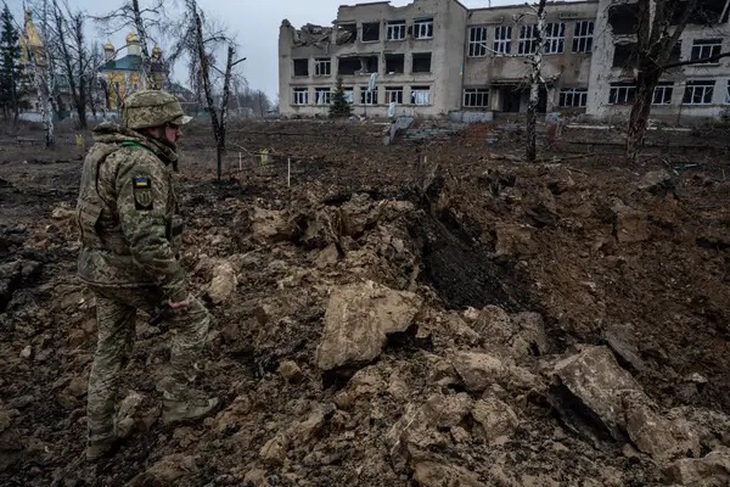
<point>434,57</point>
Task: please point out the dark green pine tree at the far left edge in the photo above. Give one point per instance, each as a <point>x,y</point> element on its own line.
<point>11,69</point>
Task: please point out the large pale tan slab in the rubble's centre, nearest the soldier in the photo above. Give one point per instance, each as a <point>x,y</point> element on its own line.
<point>357,321</point>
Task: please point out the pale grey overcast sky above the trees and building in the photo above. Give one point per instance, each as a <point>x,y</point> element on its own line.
<point>255,24</point>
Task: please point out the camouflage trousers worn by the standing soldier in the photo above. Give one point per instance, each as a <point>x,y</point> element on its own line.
<point>116,310</point>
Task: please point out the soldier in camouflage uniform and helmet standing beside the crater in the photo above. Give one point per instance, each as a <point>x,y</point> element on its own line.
<point>130,234</point>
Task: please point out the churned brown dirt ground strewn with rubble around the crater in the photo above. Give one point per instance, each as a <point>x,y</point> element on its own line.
<point>631,258</point>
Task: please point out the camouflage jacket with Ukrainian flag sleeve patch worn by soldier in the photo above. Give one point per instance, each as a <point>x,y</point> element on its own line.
<point>127,214</point>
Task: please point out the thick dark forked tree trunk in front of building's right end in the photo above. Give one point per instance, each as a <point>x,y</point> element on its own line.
<point>660,25</point>
